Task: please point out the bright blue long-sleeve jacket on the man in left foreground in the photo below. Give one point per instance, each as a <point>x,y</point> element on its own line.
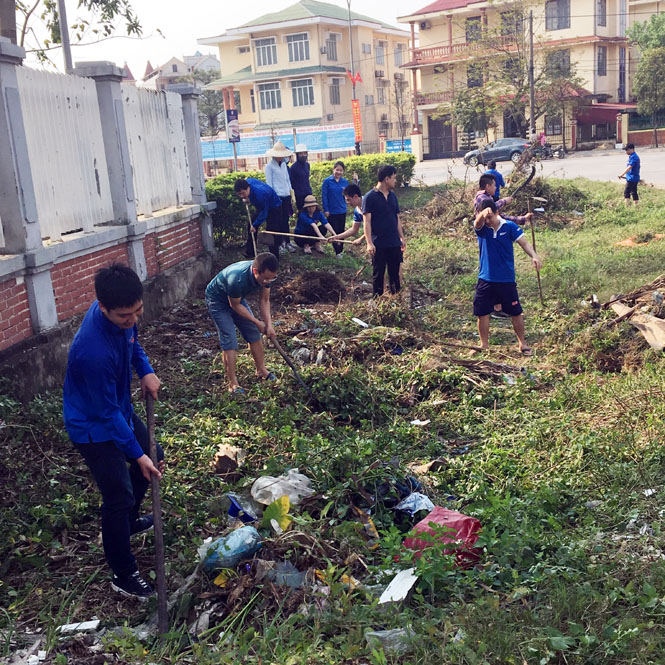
<point>97,402</point>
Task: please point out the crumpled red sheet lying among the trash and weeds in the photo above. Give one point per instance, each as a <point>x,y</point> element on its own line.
<point>465,534</point>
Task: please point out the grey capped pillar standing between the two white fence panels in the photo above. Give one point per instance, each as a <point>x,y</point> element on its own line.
<point>108,77</point>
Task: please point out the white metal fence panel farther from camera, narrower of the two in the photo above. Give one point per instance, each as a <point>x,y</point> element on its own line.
<point>157,148</point>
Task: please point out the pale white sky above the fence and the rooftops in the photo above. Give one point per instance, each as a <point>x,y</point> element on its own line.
<point>182,23</point>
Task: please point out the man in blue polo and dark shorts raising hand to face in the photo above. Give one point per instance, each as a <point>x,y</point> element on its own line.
<point>496,278</point>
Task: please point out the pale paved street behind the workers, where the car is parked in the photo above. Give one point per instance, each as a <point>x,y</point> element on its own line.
<point>602,165</point>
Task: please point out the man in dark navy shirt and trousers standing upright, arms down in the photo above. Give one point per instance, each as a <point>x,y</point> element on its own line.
<point>383,230</point>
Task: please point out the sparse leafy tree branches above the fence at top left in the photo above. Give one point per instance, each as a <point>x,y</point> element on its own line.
<point>99,20</point>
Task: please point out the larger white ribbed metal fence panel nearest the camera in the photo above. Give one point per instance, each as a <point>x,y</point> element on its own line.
<point>67,159</point>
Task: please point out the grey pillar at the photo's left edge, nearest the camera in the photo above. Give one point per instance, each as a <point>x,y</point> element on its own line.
<point>18,205</point>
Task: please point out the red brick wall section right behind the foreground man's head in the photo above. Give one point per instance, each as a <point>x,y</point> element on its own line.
<point>73,280</point>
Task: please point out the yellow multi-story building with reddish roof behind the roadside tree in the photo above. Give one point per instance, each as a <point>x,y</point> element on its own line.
<point>588,35</point>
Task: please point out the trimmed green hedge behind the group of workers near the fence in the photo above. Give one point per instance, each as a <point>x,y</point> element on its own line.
<point>230,218</point>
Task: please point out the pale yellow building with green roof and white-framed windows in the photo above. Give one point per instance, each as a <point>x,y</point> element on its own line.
<point>289,69</point>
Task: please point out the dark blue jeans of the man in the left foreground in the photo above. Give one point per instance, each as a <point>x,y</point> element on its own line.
<point>122,487</point>
